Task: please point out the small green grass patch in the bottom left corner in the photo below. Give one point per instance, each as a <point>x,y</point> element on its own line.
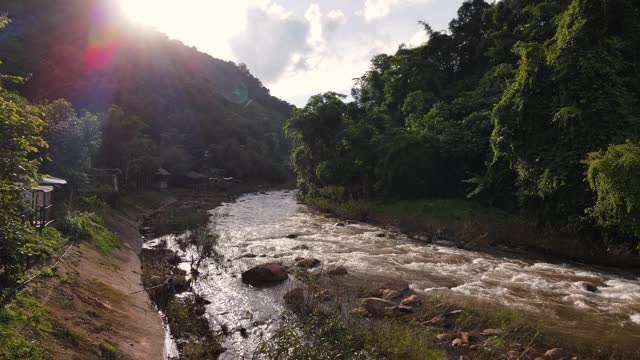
<point>23,322</point>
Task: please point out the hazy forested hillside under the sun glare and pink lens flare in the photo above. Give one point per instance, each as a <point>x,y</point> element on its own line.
<point>154,101</point>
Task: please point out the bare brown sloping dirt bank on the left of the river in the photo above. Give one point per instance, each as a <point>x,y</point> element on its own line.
<point>96,299</point>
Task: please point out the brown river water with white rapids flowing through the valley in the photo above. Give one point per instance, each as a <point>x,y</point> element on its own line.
<point>258,225</point>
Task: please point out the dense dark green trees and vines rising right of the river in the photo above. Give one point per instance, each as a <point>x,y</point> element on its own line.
<point>528,105</point>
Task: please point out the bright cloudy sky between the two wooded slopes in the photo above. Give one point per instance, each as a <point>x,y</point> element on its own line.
<point>297,48</point>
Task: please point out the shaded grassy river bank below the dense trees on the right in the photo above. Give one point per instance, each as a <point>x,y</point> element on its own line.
<point>473,226</point>
